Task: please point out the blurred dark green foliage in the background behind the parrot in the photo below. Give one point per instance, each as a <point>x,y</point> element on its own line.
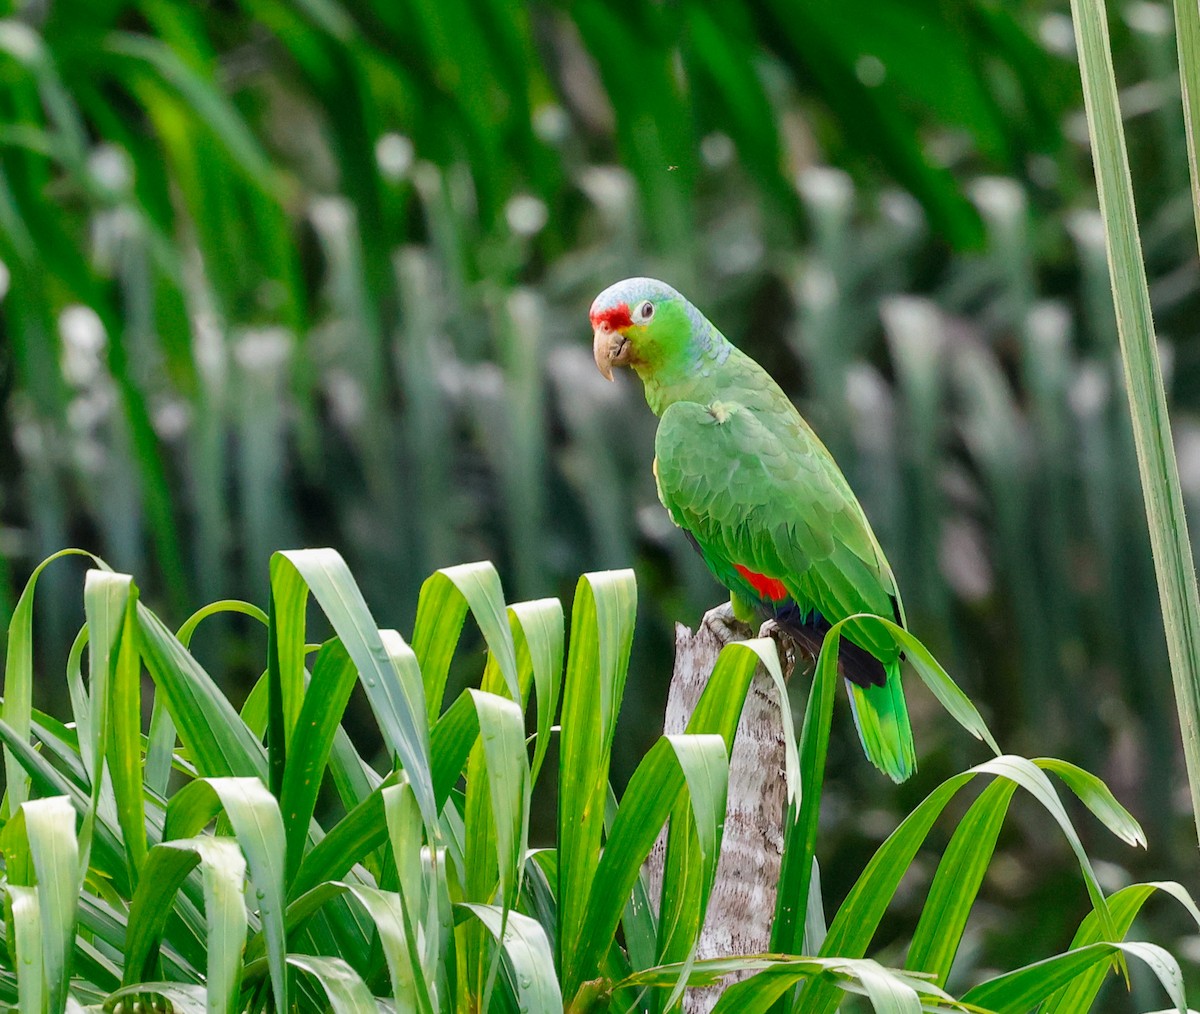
<point>317,273</point>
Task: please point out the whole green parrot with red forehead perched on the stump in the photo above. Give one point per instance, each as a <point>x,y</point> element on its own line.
<point>761,499</point>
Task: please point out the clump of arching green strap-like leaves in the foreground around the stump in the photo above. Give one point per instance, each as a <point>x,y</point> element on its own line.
<point>196,861</point>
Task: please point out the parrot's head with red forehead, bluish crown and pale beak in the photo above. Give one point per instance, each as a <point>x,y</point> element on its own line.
<point>641,323</point>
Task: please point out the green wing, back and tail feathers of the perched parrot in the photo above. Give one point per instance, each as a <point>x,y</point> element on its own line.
<point>755,487</point>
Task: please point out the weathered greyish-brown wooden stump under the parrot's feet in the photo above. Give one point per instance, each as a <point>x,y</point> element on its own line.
<point>742,907</point>
